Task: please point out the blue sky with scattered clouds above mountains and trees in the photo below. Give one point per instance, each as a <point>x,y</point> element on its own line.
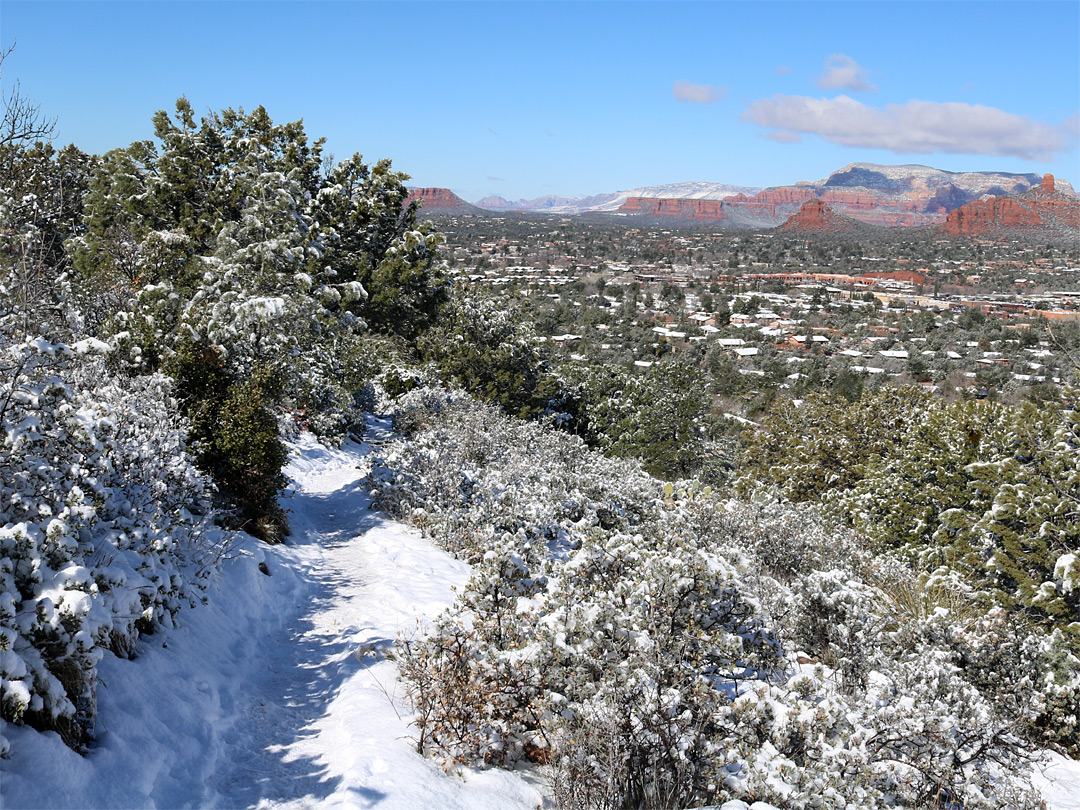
<point>530,99</point>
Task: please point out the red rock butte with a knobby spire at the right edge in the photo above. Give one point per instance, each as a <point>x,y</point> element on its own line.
<point>1041,209</point>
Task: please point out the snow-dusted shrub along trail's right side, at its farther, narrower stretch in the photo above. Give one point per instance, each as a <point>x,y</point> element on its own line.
<point>472,475</point>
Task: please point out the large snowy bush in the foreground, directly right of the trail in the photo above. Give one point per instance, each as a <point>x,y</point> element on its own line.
<point>633,637</point>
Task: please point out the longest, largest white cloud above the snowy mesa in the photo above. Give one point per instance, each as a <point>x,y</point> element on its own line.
<point>919,128</point>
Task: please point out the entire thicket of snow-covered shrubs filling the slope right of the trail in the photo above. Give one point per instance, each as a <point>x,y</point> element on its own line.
<point>659,646</point>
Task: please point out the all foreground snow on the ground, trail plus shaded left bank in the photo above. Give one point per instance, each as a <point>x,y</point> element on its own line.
<point>276,694</point>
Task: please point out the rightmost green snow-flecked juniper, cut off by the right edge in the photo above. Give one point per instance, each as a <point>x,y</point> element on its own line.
<point>983,490</point>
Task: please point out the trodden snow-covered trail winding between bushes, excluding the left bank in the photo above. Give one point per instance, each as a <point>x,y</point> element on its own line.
<point>318,728</point>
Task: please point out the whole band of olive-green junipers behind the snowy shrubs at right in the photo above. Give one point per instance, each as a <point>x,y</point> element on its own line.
<point>980,490</point>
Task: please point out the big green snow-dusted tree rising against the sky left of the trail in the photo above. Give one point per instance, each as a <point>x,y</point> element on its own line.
<point>227,249</point>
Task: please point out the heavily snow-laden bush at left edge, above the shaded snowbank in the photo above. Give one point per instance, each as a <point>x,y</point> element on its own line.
<point>103,525</point>
